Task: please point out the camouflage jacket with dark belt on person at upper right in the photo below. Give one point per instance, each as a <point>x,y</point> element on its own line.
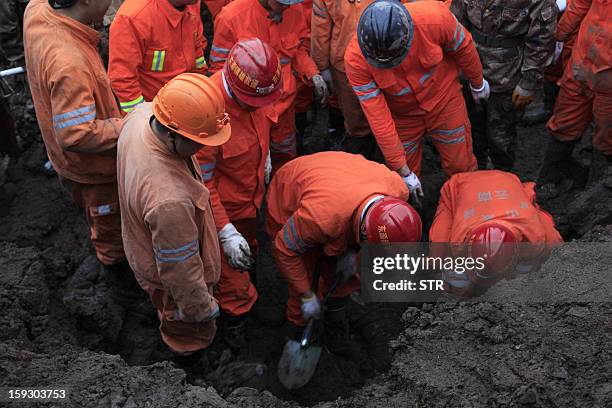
<point>514,38</point>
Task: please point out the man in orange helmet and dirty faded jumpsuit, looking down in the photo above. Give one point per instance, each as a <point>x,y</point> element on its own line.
<point>168,226</point>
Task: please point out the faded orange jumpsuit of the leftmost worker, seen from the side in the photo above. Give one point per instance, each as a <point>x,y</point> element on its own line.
<point>78,118</point>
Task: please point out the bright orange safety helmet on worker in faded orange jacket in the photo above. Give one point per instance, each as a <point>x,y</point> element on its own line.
<point>192,106</point>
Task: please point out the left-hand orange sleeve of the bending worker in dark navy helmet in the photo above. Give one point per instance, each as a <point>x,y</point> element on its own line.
<point>376,109</point>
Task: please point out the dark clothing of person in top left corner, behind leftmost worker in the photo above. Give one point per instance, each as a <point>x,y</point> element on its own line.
<point>11,39</point>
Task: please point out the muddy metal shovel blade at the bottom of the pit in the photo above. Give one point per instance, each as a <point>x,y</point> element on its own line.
<point>297,364</point>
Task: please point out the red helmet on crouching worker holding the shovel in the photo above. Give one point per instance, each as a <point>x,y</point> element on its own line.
<point>391,220</point>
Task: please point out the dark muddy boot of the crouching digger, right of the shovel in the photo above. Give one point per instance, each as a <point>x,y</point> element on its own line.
<point>336,334</point>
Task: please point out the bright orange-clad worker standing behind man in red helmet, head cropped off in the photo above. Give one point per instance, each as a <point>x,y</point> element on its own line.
<point>282,26</point>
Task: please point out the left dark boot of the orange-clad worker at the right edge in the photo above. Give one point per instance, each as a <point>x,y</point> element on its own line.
<point>554,166</point>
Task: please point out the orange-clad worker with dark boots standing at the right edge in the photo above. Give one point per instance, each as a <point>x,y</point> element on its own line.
<point>585,94</point>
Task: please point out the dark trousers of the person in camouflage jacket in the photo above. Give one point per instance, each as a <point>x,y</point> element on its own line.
<point>493,129</point>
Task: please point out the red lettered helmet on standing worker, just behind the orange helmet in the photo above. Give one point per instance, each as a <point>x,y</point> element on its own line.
<point>253,73</point>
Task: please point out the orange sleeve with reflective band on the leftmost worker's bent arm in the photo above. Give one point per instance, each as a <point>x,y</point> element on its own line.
<point>74,113</point>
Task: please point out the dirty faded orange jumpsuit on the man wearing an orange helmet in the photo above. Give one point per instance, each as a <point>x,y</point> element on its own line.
<point>169,232</point>
